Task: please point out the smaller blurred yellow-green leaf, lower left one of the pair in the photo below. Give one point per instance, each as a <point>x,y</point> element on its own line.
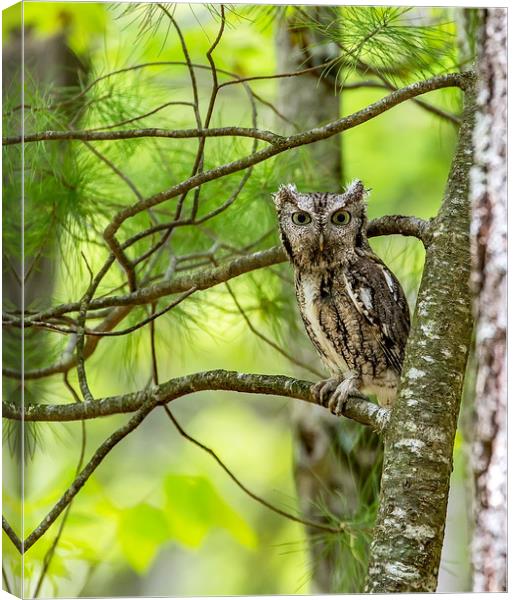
<point>142,529</point>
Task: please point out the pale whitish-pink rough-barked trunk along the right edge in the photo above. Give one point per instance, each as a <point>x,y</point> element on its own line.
<point>489,257</point>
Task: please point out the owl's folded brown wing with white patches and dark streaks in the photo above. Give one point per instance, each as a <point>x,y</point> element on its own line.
<point>379,298</point>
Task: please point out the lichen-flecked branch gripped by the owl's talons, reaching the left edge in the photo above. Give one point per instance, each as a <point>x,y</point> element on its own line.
<point>358,409</point>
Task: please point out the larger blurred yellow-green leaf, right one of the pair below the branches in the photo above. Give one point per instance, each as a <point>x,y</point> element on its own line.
<point>194,507</point>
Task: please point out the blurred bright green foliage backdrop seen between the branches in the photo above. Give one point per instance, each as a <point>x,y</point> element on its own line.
<point>159,517</point>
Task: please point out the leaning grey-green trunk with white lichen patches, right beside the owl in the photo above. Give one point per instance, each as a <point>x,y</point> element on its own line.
<point>408,536</point>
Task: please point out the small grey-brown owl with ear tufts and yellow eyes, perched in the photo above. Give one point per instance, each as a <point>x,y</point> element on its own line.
<point>352,305</point>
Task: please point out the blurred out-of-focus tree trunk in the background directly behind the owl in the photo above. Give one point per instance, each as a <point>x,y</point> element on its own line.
<point>333,458</point>
